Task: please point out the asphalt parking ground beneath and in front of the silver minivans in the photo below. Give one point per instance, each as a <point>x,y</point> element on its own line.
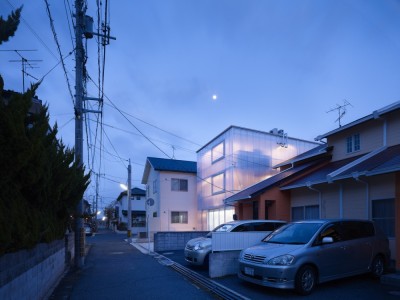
<point>361,287</point>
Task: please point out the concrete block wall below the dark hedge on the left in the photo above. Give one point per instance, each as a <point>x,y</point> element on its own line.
<point>34,273</point>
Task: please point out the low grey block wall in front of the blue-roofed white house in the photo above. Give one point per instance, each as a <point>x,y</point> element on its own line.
<point>166,241</point>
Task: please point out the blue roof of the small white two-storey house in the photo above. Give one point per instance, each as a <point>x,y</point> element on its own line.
<point>168,165</point>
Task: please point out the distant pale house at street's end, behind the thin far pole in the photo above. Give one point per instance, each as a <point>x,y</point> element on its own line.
<point>138,209</point>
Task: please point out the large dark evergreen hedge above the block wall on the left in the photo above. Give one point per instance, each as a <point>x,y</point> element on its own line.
<point>40,184</point>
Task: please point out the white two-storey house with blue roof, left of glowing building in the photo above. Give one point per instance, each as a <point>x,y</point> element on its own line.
<point>171,195</point>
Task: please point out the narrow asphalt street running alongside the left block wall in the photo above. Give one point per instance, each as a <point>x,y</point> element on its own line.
<point>115,269</point>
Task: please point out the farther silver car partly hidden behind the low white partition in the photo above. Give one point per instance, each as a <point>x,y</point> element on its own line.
<point>197,250</point>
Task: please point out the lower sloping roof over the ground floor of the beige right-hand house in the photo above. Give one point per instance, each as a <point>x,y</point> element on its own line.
<point>380,162</point>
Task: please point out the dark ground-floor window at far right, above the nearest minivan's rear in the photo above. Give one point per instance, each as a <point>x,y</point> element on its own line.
<point>384,216</point>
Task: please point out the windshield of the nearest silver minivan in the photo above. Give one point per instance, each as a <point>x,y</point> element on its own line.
<point>295,234</point>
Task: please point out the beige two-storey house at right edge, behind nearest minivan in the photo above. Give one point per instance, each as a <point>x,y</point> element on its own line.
<point>362,179</point>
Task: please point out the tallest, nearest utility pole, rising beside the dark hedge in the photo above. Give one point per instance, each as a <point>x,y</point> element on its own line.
<point>79,61</point>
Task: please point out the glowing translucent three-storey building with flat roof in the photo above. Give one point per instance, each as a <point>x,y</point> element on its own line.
<point>234,160</point>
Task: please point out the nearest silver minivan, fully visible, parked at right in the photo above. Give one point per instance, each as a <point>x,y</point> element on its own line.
<point>302,254</point>
